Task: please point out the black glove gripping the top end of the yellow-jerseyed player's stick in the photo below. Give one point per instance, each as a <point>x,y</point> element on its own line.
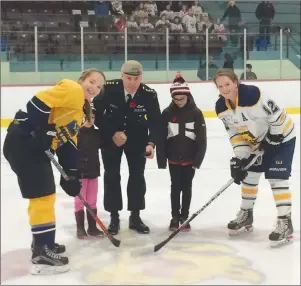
<point>44,136</point>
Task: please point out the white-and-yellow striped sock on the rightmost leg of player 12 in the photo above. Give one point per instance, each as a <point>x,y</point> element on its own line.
<point>282,196</point>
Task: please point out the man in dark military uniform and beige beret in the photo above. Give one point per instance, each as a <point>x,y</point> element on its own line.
<point>128,115</point>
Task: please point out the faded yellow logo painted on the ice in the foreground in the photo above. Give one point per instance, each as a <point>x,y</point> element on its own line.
<point>182,262</point>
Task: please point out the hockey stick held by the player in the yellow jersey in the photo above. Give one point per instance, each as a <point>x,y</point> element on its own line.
<point>114,241</point>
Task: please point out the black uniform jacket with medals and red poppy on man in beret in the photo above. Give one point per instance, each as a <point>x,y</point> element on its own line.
<point>139,119</point>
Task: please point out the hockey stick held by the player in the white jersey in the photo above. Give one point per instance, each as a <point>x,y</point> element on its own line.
<point>222,189</point>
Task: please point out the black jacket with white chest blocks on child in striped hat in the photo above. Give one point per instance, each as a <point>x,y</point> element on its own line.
<point>178,126</point>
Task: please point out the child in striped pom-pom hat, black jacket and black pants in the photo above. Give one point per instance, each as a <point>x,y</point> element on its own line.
<point>183,142</point>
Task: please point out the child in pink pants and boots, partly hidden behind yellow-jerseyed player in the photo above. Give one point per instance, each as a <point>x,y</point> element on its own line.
<point>89,143</point>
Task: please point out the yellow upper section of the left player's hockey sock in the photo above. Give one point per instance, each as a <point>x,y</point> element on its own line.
<point>41,210</point>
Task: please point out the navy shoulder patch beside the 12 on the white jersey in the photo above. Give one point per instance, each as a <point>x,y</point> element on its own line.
<point>249,95</point>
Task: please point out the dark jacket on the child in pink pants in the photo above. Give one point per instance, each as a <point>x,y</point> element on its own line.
<point>89,143</point>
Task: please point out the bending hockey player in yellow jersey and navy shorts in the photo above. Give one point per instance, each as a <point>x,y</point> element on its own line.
<point>50,120</point>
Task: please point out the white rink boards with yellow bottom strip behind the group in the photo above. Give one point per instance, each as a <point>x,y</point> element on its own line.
<point>285,93</point>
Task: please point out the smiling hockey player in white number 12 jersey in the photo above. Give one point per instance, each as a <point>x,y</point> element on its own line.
<point>253,120</point>
